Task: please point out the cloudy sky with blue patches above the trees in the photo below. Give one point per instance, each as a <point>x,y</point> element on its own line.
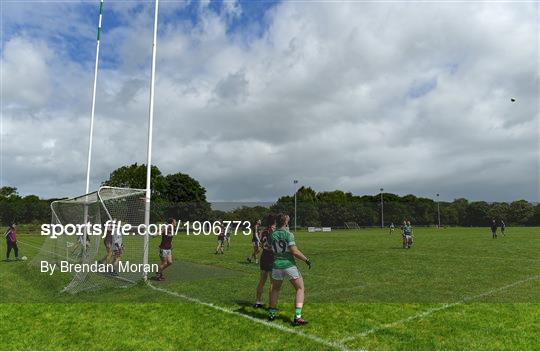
<point>410,96</point>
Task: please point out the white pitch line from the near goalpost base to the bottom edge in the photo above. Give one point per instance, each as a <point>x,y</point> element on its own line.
<point>333,344</point>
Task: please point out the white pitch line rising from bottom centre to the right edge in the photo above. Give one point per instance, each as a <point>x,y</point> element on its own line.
<point>434,310</point>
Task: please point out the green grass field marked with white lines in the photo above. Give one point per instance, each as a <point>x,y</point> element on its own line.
<point>455,289</point>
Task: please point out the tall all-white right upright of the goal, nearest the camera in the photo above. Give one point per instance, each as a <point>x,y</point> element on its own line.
<point>150,126</point>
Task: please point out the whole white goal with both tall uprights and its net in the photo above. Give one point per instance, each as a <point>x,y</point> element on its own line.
<point>130,206</point>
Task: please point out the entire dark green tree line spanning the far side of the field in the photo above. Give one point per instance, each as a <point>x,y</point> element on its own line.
<point>179,195</point>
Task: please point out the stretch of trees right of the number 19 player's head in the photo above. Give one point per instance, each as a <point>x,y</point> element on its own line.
<point>337,207</point>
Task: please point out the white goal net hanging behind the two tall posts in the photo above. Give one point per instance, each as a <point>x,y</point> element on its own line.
<point>108,207</point>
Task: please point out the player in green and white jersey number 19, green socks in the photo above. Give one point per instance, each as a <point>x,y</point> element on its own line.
<point>285,250</point>
